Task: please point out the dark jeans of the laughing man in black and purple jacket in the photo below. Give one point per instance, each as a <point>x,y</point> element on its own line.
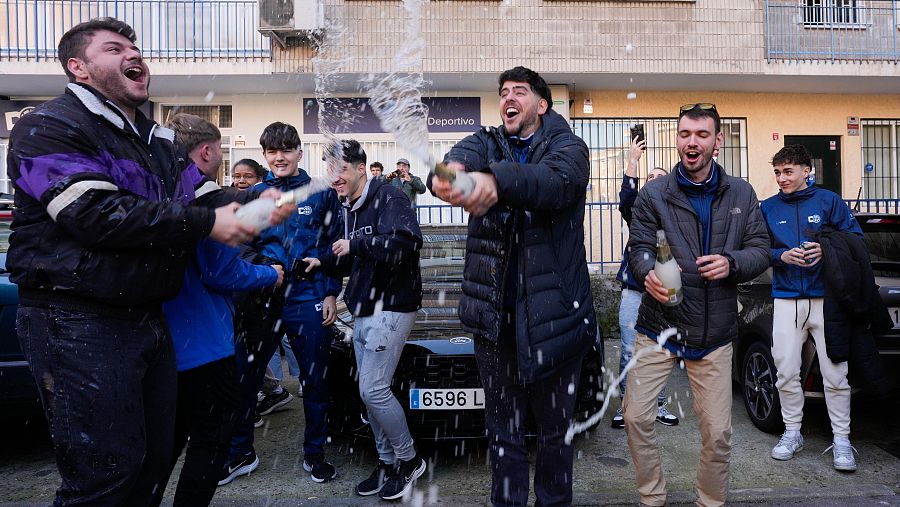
<point>107,386</point>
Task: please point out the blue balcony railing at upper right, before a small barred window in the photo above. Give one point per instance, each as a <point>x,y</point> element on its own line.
<point>833,31</point>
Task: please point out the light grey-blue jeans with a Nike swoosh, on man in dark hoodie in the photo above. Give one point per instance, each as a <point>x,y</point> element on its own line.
<point>378,342</point>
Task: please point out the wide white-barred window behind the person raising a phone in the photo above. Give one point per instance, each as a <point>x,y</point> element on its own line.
<point>608,141</point>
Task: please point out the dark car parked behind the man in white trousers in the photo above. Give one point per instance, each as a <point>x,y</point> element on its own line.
<point>754,368</point>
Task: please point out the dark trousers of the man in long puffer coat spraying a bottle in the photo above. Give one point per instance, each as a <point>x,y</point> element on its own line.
<point>507,401</point>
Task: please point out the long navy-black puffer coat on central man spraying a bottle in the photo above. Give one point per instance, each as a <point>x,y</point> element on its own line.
<point>544,201</point>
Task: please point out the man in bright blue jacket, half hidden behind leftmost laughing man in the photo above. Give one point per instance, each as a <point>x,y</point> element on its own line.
<point>200,319</point>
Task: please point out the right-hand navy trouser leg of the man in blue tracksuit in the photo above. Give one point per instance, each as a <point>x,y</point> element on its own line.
<point>312,342</point>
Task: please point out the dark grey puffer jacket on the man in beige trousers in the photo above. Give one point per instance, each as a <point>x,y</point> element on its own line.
<point>708,315</point>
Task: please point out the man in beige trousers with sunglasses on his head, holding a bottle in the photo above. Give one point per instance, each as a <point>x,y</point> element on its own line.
<point>718,238</point>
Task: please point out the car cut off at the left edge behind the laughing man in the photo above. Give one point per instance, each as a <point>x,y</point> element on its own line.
<point>17,388</point>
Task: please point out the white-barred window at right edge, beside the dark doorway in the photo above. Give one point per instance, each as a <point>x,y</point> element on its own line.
<point>880,154</point>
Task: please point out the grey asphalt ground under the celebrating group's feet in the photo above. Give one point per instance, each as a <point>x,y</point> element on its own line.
<point>458,473</point>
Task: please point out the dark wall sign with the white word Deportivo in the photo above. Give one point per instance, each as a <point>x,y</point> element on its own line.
<point>354,116</point>
